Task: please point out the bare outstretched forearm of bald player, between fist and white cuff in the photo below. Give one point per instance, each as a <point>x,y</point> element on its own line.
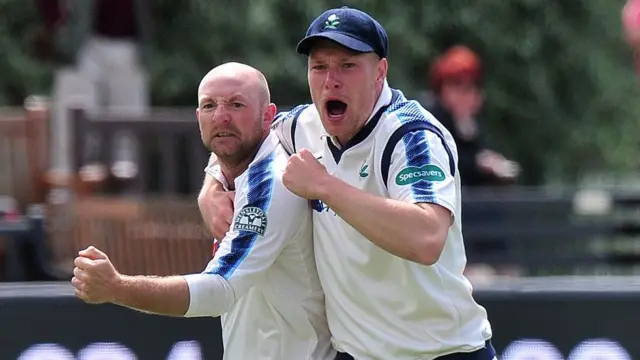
<point>157,295</point>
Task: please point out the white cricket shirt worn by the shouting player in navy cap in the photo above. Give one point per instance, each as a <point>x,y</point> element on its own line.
<point>381,306</point>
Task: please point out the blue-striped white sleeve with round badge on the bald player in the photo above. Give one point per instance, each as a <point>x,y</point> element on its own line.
<point>264,221</point>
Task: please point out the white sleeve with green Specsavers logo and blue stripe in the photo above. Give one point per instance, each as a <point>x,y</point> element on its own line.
<point>422,168</point>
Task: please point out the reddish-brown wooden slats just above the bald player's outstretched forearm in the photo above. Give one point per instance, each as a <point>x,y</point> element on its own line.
<point>150,236</point>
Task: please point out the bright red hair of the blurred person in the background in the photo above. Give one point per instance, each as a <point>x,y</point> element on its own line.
<point>459,63</point>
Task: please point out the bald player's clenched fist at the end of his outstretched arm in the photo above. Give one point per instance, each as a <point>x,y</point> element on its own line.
<point>94,277</point>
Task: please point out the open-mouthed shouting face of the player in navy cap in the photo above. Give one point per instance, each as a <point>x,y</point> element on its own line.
<point>344,87</point>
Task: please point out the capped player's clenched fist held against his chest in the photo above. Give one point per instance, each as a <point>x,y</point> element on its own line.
<point>304,175</point>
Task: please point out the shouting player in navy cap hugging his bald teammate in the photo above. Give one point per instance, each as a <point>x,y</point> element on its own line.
<point>357,134</point>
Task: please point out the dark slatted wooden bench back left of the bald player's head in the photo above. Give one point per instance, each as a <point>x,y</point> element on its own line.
<point>170,154</point>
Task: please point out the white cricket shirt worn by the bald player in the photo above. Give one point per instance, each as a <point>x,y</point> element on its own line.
<point>263,279</point>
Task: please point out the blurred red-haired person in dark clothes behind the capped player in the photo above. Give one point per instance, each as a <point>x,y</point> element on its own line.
<point>455,79</point>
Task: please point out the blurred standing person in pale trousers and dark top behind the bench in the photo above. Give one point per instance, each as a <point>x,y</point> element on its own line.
<point>102,49</point>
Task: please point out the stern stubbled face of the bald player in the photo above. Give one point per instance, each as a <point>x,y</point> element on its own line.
<point>233,118</point>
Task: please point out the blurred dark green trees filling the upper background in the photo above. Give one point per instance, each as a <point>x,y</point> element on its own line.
<point>562,98</point>
